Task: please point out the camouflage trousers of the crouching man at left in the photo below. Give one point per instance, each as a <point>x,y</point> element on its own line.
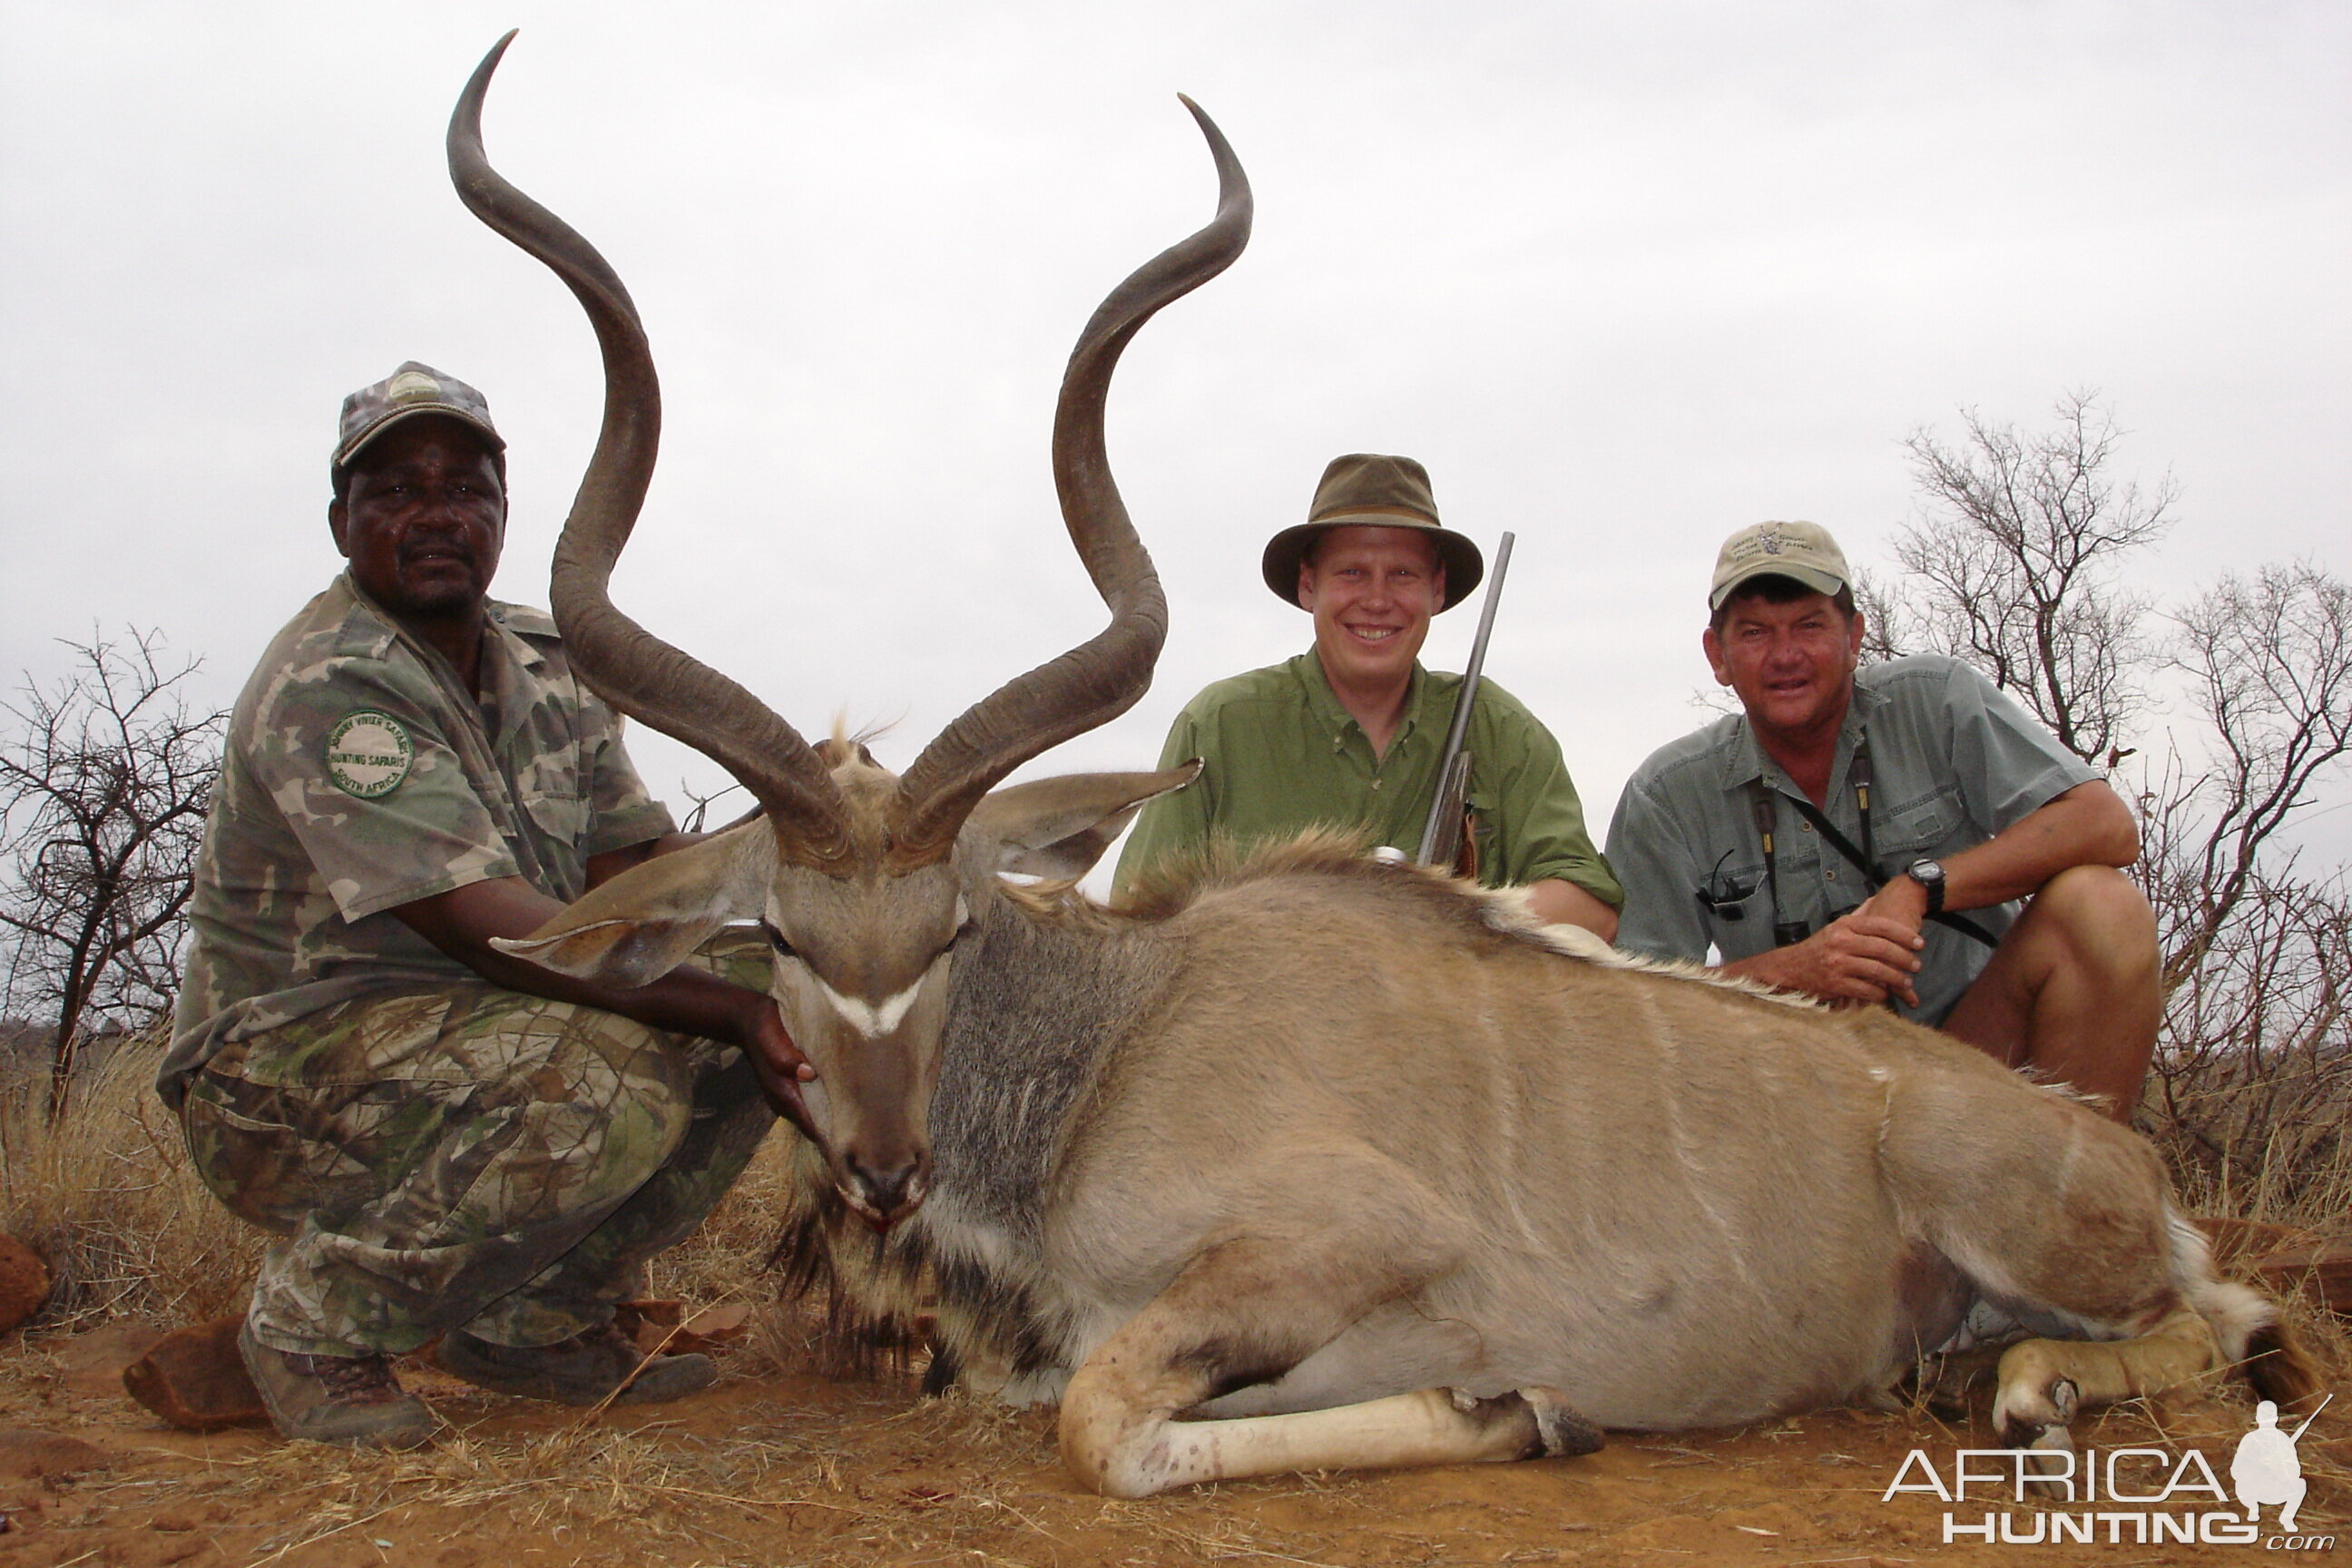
<point>469,1158</point>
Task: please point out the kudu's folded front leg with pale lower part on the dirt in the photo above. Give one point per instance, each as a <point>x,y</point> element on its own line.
<point>1248,1313</point>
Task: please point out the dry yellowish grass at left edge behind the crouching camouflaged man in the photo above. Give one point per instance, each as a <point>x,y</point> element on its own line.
<point>107,1195</point>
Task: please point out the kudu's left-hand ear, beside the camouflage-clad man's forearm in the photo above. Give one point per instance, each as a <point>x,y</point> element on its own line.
<point>643,923</point>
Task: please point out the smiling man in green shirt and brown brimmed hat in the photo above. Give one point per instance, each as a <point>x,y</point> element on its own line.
<point>1349,735</point>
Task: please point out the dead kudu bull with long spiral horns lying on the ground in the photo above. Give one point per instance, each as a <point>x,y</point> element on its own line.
<point>1347,1158</point>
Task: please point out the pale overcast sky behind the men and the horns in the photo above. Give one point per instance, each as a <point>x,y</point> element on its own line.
<point>1624,276</point>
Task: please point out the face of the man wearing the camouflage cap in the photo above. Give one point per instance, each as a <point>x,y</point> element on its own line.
<point>422,518</point>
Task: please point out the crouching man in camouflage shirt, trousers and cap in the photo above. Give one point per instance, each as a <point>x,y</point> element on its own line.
<point>446,1141</point>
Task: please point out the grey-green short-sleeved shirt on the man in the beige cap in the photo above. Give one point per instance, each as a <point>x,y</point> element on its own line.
<point>1953,763</point>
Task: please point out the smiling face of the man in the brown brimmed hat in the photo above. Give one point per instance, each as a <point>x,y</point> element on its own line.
<point>1372,594</point>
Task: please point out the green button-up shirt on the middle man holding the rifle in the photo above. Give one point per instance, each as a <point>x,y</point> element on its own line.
<point>1283,756</point>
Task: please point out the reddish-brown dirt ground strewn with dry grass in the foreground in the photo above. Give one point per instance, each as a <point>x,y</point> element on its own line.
<point>787,1468</point>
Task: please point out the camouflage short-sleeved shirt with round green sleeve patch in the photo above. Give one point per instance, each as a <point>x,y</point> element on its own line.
<point>361,777</point>
